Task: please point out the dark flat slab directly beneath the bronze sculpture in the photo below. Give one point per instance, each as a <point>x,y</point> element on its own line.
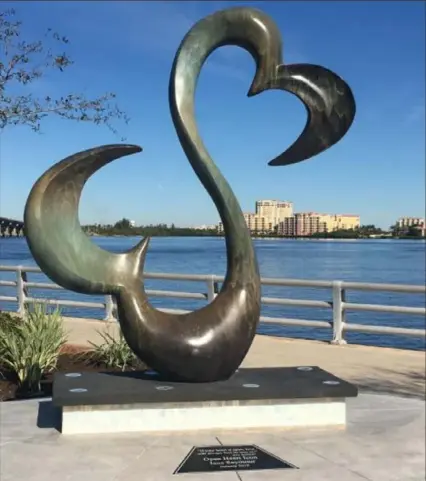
<point>246,386</point>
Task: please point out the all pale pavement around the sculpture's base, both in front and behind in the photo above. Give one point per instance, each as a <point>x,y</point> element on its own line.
<point>383,439</point>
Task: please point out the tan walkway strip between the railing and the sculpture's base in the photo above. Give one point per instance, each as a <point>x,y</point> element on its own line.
<point>373,369</point>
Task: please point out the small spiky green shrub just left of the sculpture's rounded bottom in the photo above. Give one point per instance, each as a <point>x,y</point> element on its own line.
<point>114,352</point>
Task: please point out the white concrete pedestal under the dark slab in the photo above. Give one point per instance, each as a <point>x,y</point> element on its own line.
<point>146,418</point>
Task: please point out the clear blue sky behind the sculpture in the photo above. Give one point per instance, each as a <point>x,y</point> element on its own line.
<point>377,170</point>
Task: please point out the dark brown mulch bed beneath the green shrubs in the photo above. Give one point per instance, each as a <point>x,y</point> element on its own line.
<point>72,359</point>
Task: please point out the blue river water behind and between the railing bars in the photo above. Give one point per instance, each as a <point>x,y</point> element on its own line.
<point>380,261</point>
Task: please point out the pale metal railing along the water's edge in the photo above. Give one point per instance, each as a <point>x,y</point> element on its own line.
<point>338,305</point>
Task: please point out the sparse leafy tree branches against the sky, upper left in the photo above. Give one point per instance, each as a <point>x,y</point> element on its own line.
<point>24,62</point>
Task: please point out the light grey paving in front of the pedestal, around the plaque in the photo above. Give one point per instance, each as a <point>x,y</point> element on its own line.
<point>383,441</point>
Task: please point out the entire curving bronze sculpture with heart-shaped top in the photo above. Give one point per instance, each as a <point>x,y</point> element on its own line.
<point>208,344</point>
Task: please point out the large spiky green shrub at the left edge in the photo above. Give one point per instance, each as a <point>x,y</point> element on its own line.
<point>32,347</point>
